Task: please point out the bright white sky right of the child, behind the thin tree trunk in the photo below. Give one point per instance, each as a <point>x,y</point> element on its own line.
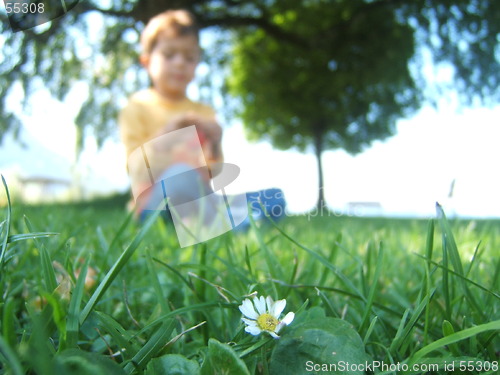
<point>406,174</point>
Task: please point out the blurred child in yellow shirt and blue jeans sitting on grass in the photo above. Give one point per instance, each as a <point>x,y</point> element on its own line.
<point>156,124</point>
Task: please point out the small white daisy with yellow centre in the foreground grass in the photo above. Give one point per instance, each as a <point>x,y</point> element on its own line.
<point>263,315</point>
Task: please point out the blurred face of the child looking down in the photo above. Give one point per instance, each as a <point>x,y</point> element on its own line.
<point>171,64</point>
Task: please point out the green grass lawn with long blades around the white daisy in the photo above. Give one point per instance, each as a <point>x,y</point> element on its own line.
<point>412,291</point>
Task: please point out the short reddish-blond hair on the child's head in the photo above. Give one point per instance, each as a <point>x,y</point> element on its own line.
<point>172,23</point>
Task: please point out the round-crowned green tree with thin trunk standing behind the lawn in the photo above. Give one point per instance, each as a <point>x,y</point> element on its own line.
<point>331,90</point>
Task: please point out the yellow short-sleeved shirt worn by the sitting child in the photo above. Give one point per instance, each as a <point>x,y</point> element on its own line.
<point>142,120</point>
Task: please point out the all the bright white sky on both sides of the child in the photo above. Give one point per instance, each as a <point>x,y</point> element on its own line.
<point>404,175</point>
